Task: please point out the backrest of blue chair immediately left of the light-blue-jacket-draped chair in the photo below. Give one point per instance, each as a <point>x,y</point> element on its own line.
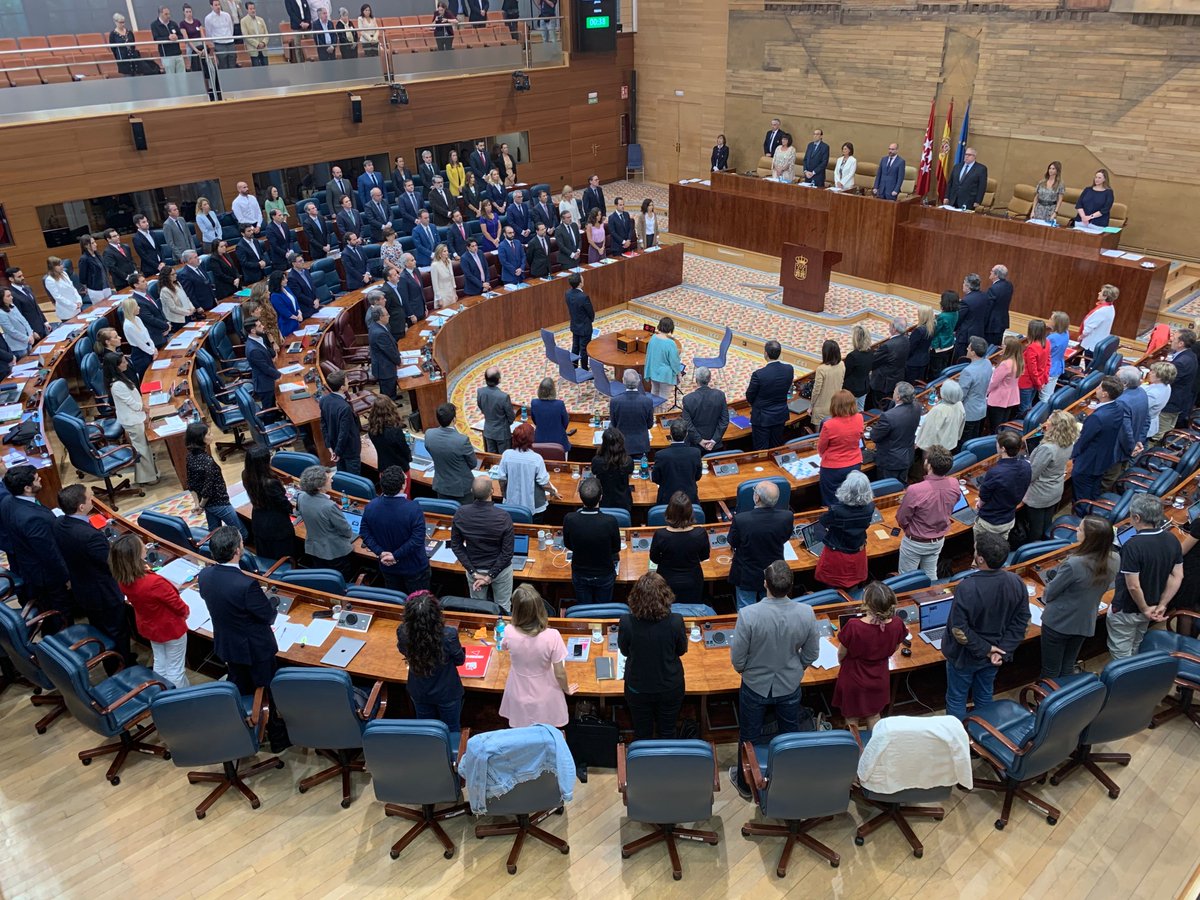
<point>411,761</point>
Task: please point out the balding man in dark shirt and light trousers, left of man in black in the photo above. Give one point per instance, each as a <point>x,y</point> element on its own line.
<point>482,541</point>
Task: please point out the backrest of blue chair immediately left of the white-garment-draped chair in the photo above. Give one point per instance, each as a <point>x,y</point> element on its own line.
<point>793,793</point>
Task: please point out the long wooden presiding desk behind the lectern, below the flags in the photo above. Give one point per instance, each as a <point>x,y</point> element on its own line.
<point>925,248</point>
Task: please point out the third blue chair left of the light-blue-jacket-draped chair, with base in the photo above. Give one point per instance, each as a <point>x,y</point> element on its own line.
<point>209,725</point>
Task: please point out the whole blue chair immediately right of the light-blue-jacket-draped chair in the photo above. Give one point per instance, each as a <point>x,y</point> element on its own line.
<point>668,782</point>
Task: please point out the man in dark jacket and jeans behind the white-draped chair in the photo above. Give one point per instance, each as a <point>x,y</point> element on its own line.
<point>988,620</point>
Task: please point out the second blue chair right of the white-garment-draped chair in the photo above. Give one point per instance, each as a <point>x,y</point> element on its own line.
<point>1136,686</point>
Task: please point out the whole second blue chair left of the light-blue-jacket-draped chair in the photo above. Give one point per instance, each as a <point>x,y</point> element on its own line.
<point>326,712</point>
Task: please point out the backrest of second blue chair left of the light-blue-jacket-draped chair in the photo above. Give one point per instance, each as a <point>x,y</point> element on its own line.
<point>320,707</point>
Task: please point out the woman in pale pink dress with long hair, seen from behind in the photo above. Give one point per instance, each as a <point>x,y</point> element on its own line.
<point>537,687</point>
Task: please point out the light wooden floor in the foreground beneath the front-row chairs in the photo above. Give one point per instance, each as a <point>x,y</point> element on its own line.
<point>67,833</point>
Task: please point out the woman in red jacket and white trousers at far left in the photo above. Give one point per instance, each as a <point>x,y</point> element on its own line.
<point>159,610</point>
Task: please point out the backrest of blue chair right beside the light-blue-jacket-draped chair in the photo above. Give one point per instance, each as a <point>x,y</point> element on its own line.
<point>670,782</point>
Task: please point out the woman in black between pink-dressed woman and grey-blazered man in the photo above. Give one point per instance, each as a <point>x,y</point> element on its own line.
<point>653,639</point>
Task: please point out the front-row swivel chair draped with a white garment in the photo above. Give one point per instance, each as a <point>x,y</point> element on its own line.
<point>939,743</point>
